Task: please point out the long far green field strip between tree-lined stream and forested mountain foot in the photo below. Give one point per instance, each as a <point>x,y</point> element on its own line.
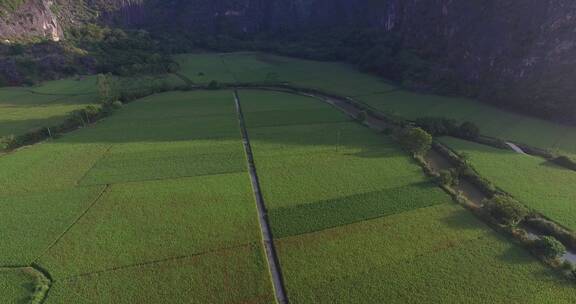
<point>345,80</point>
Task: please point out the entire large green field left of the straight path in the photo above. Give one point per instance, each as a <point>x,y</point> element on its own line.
<point>95,218</point>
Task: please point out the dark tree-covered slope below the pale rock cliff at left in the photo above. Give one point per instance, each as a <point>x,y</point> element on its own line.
<point>87,49</point>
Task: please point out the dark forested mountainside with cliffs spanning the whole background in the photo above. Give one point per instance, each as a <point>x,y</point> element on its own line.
<point>517,54</point>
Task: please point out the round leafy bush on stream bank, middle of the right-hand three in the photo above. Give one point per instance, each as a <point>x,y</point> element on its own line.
<point>506,210</point>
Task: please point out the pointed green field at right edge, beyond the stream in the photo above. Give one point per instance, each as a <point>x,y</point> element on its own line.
<point>538,184</point>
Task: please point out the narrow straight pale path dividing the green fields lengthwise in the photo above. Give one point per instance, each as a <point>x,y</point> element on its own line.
<point>267,239</point>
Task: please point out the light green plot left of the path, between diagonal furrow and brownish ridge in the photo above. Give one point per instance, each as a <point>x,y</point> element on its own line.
<point>140,222</point>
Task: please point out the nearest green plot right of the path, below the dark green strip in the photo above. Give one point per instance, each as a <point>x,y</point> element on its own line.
<point>439,254</point>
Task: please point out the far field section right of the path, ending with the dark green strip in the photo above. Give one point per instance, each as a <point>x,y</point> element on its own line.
<point>337,173</point>
